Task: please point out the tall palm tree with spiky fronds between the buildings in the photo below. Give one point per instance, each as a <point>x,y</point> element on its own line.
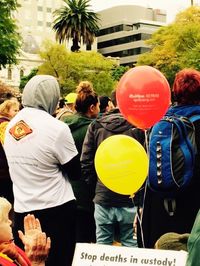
<point>75,21</point>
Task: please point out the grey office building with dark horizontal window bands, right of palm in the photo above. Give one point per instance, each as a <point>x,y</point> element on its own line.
<point>124,29</point>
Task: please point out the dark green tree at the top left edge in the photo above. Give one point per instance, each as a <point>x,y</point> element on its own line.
<point>10,39</point>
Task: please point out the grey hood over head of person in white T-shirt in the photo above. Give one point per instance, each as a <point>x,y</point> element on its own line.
<point>41,92</point>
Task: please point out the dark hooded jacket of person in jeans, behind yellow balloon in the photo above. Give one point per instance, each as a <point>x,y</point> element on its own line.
<point>110,124</point>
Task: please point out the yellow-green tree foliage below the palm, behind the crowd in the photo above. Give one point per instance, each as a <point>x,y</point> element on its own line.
<point>71,68</point>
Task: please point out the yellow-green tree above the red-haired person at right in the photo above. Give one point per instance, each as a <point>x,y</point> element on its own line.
<point>175,46</point>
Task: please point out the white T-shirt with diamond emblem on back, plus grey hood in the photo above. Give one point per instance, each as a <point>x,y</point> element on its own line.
<point>36,145</point>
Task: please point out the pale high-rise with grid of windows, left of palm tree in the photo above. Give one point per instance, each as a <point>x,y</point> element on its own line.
<point>35,19</point>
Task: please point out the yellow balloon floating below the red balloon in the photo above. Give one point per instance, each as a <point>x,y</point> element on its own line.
<point>121,164</point>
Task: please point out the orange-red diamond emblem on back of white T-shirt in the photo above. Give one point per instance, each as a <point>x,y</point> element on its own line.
<point>20,130</point>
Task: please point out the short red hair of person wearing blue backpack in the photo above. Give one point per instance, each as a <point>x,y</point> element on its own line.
<point>186,87</point>
